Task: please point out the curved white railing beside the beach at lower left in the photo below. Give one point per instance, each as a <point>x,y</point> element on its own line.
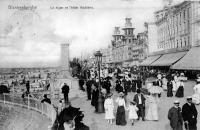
<point>30,103</point>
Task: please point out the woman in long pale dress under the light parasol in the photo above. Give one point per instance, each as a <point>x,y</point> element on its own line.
<point>152,111</point>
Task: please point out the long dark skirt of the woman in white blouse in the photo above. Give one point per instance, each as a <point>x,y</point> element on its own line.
<point>120,117</point>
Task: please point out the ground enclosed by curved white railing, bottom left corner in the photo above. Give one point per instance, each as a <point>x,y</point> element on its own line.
<point>18,118</point>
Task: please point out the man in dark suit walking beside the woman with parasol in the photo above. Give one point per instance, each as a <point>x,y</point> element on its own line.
<point>140,100</point>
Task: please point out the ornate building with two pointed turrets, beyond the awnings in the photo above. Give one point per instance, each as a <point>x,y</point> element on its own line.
<point>126,48</point>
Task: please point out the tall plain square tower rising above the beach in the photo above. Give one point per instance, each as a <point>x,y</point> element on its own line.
<point>64,63</point>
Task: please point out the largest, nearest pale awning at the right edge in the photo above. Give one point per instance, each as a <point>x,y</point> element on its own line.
<point>191,61</point>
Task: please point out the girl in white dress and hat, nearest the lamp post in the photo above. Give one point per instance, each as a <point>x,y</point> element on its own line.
<point>109,108</point>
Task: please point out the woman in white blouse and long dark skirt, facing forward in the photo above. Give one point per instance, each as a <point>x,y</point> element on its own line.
<point>120,117</point>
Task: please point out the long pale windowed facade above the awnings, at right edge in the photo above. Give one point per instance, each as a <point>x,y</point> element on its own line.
<point>178,26</point>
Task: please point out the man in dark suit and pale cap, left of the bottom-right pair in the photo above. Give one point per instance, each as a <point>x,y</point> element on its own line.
<point>175,117</point>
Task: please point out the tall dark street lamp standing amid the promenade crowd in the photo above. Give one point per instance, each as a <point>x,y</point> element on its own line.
<point>98,56</point>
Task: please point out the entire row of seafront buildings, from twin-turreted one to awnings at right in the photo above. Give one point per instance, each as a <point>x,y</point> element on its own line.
<point>172,40</point>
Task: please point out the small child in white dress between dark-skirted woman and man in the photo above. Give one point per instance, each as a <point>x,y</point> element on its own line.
<point>132,112</point>
